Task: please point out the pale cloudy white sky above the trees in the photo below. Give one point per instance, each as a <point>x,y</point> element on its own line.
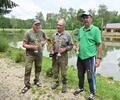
<point>28,9</point>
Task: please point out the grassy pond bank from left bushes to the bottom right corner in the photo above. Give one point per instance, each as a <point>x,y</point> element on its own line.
<point>107,89</point>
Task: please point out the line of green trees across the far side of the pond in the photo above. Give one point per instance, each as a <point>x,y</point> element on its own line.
<point>71,16</point>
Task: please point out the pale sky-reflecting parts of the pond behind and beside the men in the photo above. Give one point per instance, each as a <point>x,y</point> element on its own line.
<point>110,64</point>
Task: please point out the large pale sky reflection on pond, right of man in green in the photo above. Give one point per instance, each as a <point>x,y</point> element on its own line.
<point>110,65</point>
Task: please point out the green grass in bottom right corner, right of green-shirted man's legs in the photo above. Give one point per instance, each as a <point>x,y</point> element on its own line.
<point>107,89</point>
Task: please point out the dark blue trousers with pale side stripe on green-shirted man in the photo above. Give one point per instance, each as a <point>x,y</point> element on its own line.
<point>89,66</point>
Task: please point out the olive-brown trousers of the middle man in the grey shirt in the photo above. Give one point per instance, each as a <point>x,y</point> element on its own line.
<point>59,68</point>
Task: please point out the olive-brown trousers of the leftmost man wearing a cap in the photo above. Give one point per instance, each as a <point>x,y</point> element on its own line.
<point>28,67</point>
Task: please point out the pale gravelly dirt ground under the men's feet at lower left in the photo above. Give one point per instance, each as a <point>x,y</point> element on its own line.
<point>11,83</point>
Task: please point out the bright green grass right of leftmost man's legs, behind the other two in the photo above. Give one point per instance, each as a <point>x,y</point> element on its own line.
<point>107,89</point>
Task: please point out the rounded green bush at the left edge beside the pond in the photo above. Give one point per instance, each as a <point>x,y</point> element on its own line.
<point>3,44</point>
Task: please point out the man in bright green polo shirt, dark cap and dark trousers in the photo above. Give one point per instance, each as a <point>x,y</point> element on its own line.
<point>90,52</point>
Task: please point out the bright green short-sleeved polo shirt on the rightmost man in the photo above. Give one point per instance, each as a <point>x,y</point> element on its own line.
<point>88,41</point>
